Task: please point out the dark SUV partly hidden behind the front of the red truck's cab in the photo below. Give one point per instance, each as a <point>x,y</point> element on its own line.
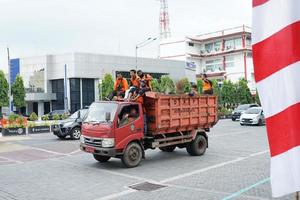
<point>70,126</point>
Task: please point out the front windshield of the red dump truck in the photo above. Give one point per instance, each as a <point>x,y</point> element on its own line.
<point>97,112</point>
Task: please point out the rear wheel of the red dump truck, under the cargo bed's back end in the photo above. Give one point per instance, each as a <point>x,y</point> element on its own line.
<point>198,146</point>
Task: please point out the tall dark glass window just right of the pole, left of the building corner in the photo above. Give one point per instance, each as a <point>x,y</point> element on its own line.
<point>75,94</point>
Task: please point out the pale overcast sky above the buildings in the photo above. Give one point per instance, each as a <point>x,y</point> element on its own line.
<point>40,27</point>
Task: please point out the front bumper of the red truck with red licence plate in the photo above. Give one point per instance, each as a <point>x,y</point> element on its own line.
<point>111,152</point>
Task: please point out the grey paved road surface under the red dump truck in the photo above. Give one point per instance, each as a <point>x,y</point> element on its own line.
<point>42,167</point>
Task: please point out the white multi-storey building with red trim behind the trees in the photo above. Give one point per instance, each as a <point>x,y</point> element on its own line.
<point>225,54</point>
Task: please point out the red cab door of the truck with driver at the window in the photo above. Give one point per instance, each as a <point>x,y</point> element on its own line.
<point>129,125</point>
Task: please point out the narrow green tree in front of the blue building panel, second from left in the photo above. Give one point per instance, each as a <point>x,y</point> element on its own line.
<point>18,92</point>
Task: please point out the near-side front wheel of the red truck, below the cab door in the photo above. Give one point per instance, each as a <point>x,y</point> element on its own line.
<point>132,155</point>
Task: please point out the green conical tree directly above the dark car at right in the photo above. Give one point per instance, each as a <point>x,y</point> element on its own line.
<point>243,92</point>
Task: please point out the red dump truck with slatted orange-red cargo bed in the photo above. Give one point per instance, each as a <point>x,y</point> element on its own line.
<point>171,121</point>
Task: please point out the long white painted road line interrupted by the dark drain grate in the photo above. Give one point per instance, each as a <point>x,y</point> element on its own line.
<point>129,191</point>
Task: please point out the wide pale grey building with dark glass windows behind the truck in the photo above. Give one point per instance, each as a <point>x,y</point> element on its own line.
<point>44,77</point>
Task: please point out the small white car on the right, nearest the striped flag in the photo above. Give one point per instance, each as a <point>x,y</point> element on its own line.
<point>253,116</point>
